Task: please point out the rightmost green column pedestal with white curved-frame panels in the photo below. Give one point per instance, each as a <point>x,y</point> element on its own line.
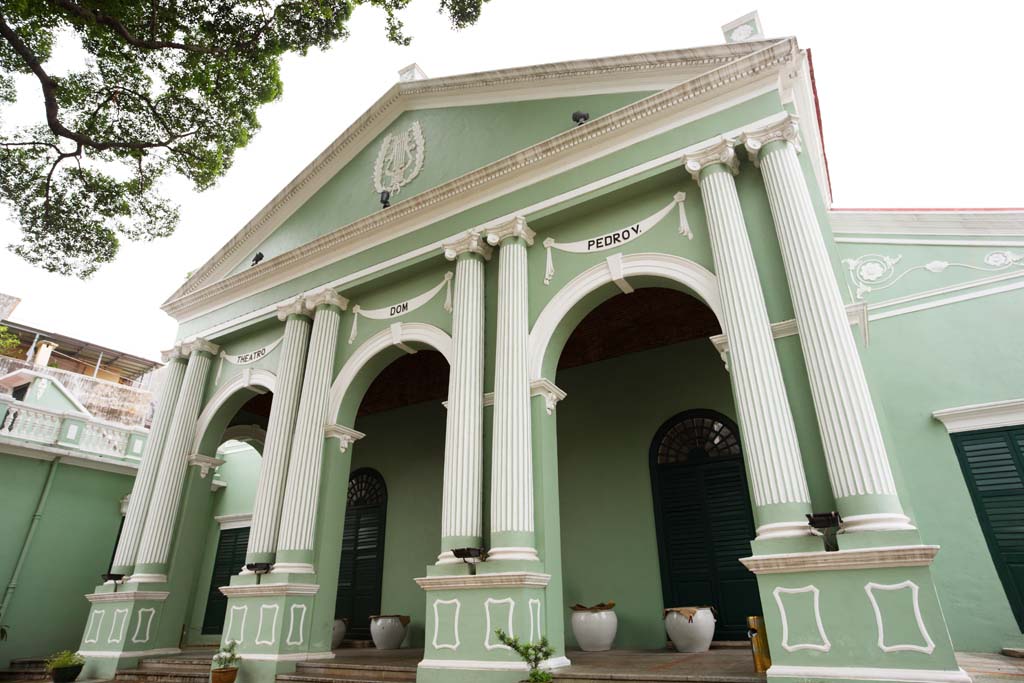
<point>875,612</point>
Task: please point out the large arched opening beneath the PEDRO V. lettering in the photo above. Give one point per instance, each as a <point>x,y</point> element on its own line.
<point>631,364</point>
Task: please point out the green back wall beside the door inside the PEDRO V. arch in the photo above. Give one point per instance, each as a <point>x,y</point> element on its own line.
<point>607,422</point>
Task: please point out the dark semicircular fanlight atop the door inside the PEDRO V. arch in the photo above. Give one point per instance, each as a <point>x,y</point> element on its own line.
<point>696,436</point>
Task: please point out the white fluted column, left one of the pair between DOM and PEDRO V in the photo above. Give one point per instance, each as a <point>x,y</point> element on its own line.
<point>462,523</point>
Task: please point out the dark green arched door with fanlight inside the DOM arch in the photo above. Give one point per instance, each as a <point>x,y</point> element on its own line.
<point>362,565</point>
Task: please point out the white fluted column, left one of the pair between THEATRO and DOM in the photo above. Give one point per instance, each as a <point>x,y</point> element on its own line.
<point>280,431</point>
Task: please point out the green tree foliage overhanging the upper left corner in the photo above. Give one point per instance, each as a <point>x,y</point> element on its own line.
<point>168,88</point>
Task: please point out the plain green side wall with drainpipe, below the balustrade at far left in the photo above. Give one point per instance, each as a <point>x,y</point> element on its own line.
<point>73,546</point>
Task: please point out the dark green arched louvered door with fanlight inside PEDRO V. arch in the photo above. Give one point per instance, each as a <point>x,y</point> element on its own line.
<point>704,519</point>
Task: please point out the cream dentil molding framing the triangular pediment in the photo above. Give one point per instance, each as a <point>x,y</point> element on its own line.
<point>737,71</point>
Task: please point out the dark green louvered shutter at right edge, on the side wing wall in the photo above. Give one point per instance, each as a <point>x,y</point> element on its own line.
<point>993,461</point>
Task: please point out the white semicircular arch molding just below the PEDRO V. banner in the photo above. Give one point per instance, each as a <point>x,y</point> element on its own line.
<point>557,322</point>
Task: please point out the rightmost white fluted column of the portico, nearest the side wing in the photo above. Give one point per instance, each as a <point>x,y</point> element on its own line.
<point>856,453</point>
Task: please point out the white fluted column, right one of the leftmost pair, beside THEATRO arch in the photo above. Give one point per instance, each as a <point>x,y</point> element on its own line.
<point>155,547</point>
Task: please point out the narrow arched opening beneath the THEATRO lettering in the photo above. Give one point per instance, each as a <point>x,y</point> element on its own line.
<point>233,429</point>
